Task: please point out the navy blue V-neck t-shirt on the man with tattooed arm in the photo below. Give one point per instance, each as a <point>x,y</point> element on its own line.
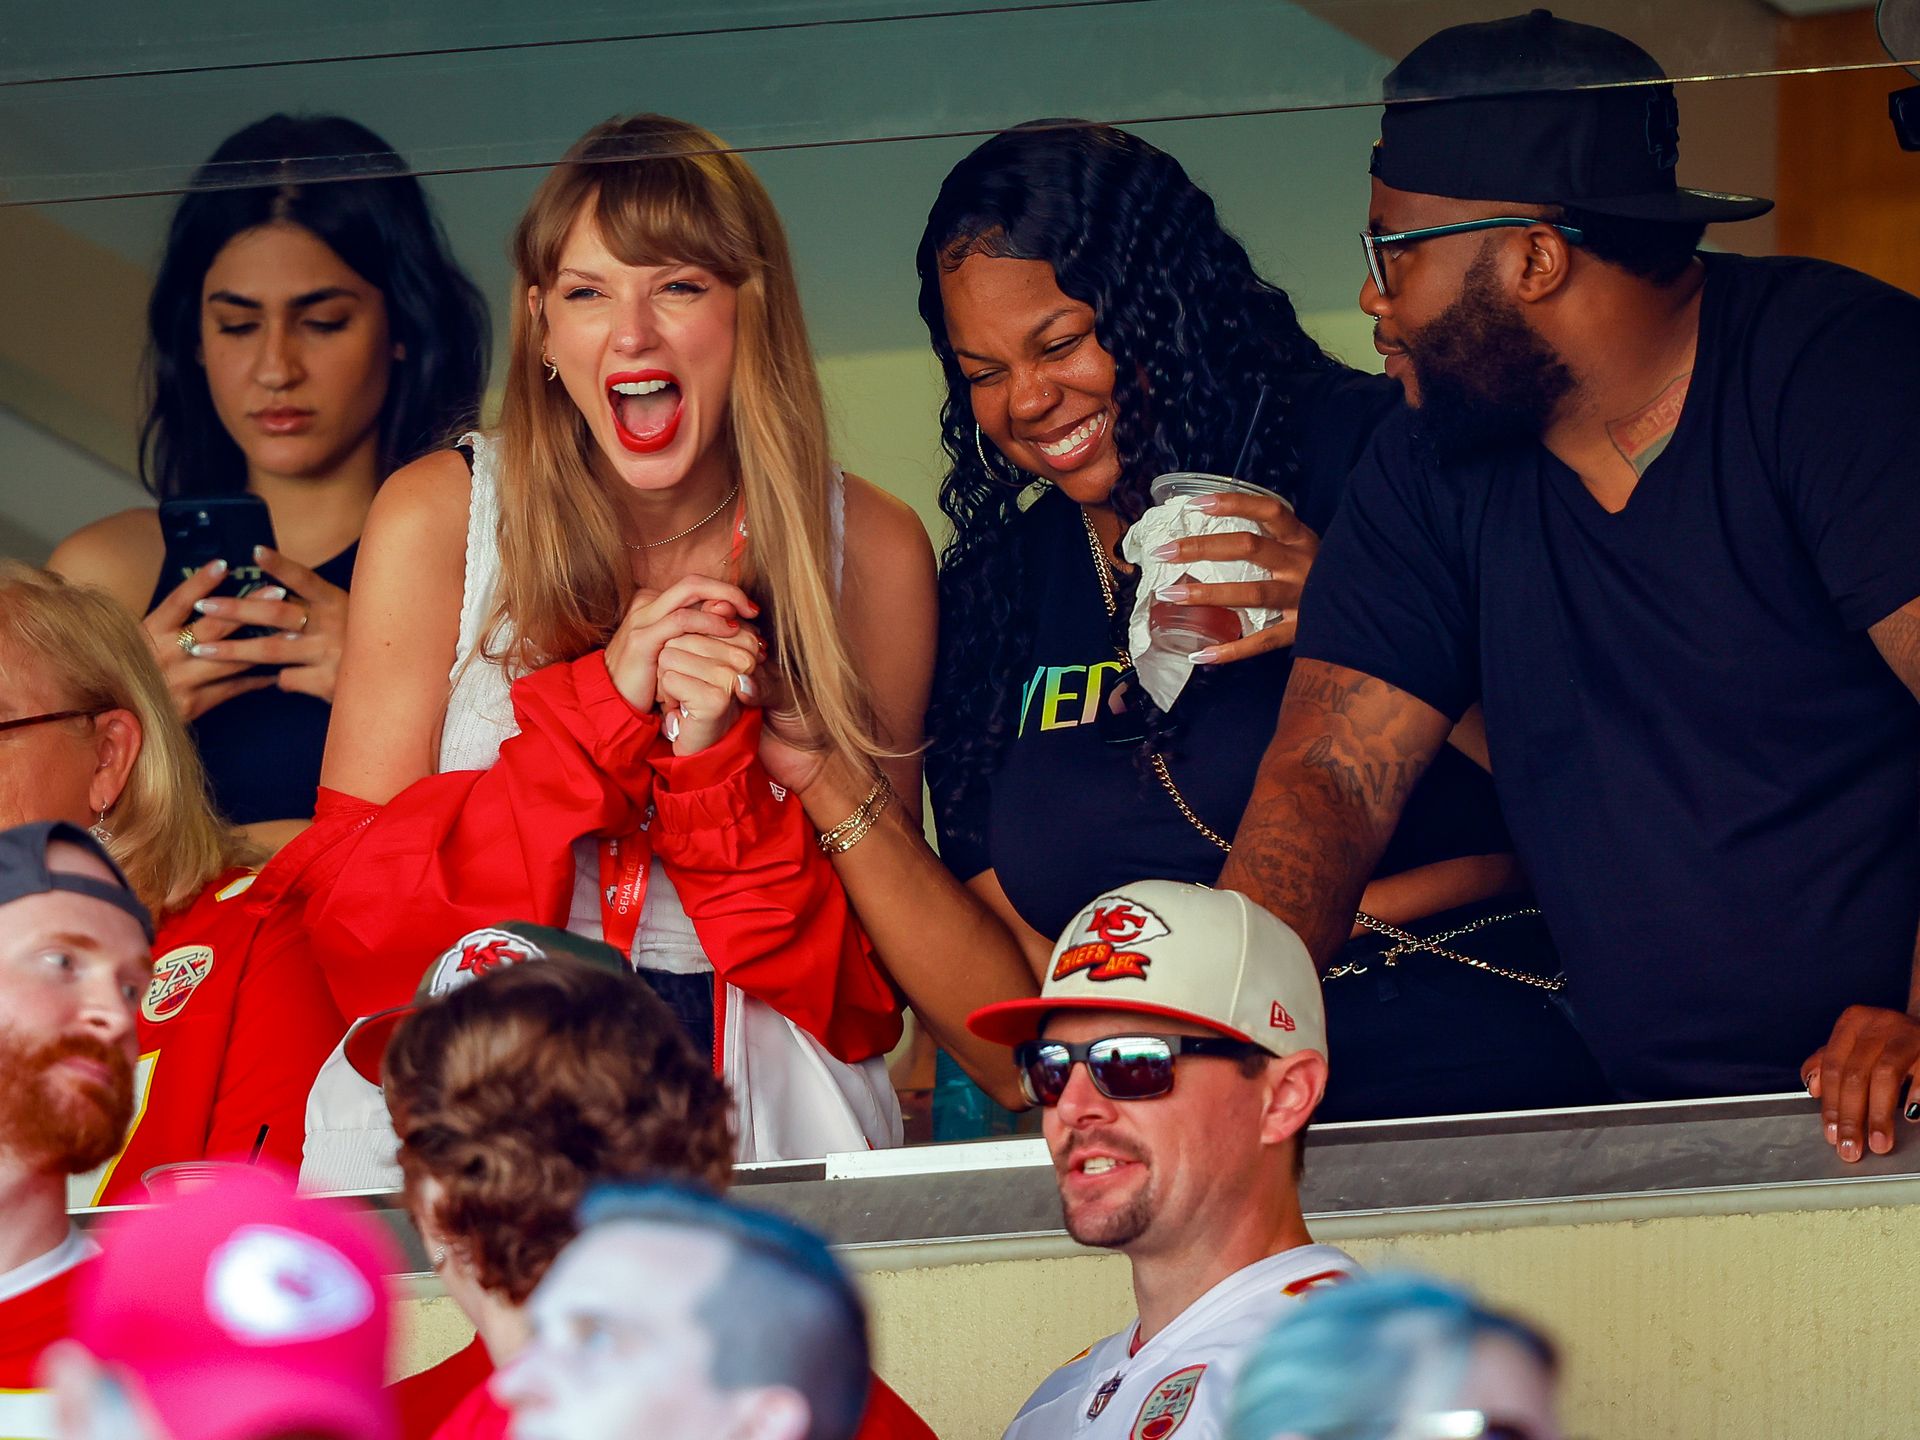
<point>1712,775</point>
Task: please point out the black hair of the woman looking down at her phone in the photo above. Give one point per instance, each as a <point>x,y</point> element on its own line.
<point>289,170</point>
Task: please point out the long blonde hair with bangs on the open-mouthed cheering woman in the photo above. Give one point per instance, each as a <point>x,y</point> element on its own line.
<point>661,193</point>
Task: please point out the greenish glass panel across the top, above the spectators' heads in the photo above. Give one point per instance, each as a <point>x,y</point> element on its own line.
<point>133,103</point>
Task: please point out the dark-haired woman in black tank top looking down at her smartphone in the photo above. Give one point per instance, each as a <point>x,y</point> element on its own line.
<point>306,337</point>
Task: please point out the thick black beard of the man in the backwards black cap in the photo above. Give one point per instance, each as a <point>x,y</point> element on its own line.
<point>1485,379</point>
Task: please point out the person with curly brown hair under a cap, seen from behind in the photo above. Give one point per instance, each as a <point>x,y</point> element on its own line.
<point>512,1095</point>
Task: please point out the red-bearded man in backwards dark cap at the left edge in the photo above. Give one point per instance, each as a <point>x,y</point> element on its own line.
<point>74,965</point>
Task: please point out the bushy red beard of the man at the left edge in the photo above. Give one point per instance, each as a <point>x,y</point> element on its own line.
<point>59,1122</point>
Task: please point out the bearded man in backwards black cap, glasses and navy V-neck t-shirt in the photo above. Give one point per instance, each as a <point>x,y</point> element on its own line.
<point>1660,512</point>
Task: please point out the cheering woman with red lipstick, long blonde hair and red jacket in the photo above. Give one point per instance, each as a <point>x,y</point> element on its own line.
<point>550,702</point>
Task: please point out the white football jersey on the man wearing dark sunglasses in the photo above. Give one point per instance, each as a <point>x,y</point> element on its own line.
<point>1184,1378</point>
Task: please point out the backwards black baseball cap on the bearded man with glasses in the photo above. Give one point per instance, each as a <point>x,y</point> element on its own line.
<point>1547,112</point>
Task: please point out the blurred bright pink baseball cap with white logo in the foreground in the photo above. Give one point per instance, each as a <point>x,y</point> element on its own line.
<point>243,1312</point>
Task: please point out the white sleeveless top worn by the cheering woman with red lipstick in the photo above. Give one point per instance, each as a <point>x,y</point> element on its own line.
<point>481,721</point>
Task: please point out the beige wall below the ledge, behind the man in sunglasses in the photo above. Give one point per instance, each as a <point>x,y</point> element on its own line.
<point>1696,1328</point>
